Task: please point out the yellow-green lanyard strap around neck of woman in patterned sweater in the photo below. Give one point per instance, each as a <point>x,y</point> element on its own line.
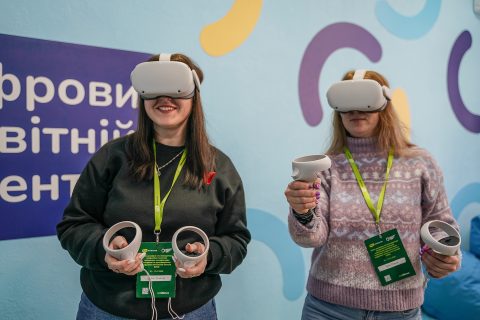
<point>375,212</point>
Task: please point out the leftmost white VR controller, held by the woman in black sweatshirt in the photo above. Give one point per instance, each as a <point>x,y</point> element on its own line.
<point>130,251</point>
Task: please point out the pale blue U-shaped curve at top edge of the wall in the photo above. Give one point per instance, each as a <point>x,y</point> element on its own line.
<point>408,27</point>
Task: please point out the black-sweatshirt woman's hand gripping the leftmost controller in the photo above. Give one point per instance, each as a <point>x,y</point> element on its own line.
<point>128,267</point>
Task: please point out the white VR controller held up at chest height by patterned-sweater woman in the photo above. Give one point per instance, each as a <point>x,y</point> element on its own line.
<point>307,168</point>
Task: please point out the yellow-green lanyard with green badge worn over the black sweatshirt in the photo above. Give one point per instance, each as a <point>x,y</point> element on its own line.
<point>159,255</point>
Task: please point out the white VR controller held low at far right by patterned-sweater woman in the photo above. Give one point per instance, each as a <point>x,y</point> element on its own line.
<point>448,245</point>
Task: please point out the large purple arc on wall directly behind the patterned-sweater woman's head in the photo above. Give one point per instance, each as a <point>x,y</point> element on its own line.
<point>323,44</point>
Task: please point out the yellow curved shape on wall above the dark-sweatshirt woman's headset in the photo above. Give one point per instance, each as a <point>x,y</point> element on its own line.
<point>233,29</point>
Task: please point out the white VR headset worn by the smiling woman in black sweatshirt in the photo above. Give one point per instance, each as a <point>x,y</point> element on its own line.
<point>164,77</point>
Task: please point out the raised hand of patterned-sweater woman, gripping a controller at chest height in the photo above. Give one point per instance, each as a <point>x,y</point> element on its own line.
<point>303,196</point>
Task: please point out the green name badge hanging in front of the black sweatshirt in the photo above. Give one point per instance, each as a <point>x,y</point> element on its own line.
<point>159,264</point>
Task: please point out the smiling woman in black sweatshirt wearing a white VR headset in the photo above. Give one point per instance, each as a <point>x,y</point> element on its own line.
<point>198,186</point>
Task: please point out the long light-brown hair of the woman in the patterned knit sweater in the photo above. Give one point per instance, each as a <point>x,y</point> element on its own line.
<point>390,130</point>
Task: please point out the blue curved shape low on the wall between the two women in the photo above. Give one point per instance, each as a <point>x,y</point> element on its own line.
<point>273,232</point>
